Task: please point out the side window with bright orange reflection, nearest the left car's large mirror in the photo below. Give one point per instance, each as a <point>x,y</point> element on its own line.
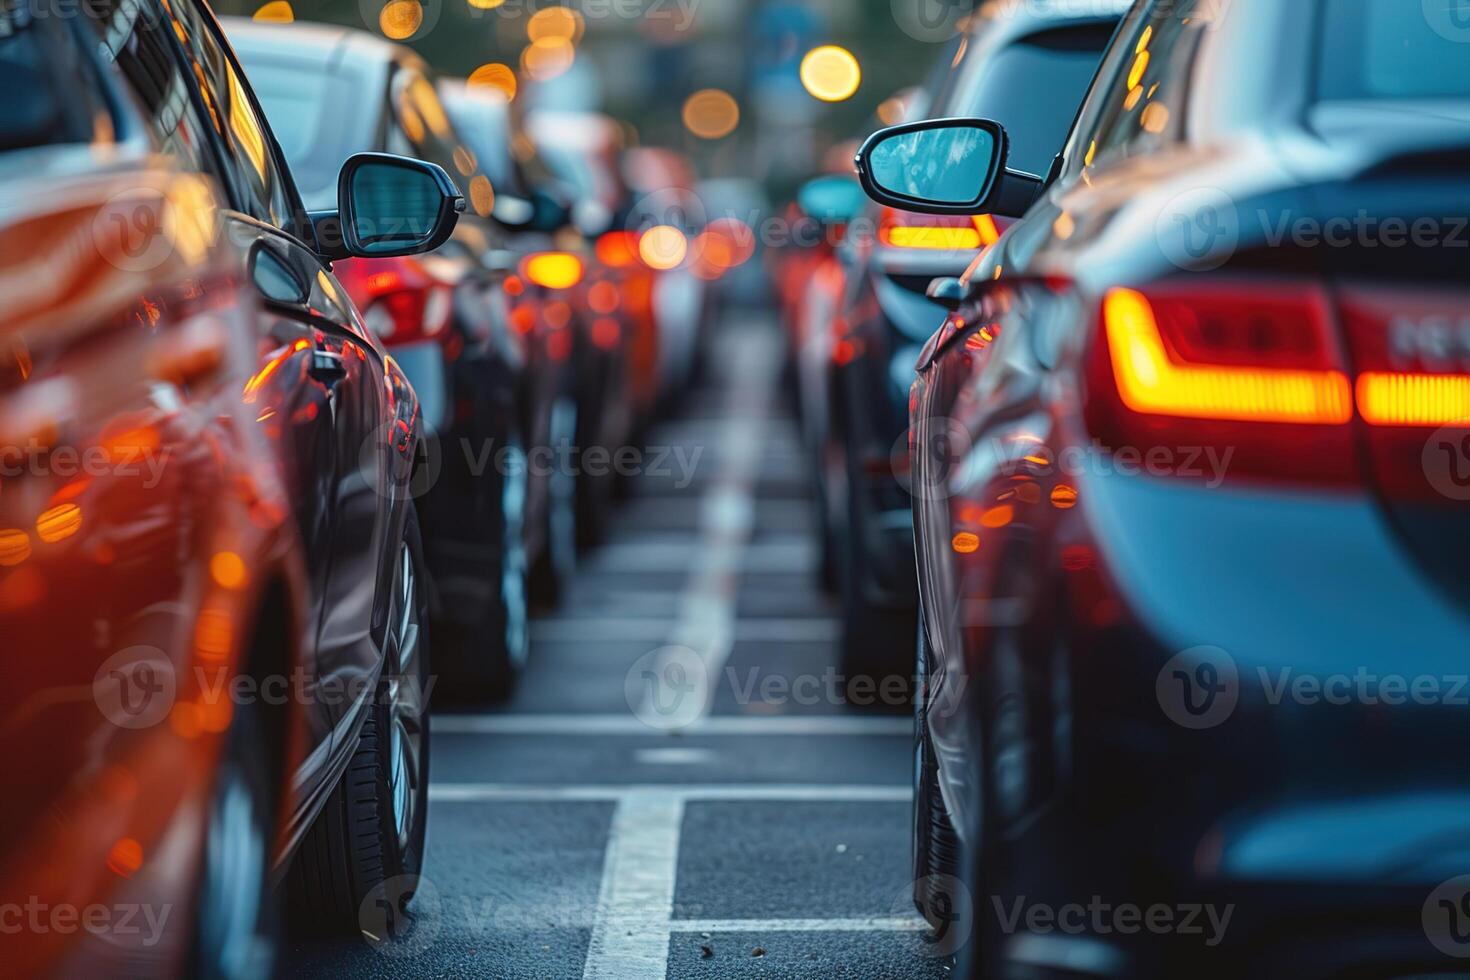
<point>254,173</point>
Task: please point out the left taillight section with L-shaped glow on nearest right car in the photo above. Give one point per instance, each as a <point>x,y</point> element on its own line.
<point>1250,372</point>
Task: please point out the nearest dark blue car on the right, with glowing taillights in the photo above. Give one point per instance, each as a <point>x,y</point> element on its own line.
<point>1178,444</point>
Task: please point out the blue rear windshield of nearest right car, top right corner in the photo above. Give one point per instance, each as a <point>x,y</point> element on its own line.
<point>1396,49</point>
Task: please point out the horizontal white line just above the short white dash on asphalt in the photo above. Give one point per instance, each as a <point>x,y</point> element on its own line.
<point>625,725</point>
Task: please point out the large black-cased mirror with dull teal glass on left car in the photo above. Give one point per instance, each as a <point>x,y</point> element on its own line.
<point>395,206</point>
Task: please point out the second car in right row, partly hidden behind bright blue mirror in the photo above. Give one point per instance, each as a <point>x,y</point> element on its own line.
<point>1028,67</point>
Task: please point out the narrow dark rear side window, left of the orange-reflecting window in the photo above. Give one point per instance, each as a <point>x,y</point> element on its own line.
<point>133,37</point>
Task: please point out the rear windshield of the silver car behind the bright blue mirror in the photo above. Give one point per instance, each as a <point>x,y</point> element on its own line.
<point>1034,89</point>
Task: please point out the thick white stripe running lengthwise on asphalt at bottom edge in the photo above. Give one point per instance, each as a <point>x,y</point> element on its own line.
<point>631,929</point>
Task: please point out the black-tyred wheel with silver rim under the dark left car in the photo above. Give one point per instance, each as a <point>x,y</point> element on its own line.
<point>371,829</point>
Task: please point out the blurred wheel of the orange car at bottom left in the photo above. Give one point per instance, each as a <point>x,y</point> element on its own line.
<point>236,920</point>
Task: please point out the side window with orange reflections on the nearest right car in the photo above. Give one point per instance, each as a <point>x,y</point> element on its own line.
<point>1144,104</point>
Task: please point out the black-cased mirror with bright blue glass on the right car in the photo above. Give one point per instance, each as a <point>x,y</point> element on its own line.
<point>946,167</point>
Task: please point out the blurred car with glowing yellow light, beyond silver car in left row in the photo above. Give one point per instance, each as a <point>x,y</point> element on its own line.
<point>555,264</point>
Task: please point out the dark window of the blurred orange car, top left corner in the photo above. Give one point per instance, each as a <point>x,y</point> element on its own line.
<point>65,101</point>
